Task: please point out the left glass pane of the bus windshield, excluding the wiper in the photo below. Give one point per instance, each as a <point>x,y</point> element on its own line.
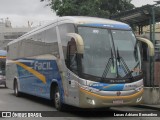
<point>97,51</point>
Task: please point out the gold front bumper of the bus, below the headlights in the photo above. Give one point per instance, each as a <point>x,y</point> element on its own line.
<point>92,100</point>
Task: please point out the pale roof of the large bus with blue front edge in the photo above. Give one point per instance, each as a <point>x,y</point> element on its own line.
<point>83,21</point>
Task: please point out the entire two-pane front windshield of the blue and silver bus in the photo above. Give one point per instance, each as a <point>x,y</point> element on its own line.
<point>109,53</point>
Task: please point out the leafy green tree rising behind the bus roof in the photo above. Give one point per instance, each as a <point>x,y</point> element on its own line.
<point>98,8</point>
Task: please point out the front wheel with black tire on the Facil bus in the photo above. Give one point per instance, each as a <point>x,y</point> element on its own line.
<point>57,100</point>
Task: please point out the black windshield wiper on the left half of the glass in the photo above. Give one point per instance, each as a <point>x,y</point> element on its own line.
<point>110,61</point>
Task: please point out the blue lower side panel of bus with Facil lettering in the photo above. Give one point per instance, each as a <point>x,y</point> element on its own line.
<point>30,83</point>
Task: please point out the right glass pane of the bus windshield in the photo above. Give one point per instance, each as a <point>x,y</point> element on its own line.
<point>126,45</point>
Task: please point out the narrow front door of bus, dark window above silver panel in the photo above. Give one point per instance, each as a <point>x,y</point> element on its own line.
<point>72,79</point>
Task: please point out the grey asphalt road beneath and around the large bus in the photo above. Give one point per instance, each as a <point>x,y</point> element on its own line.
<point>8,102</point>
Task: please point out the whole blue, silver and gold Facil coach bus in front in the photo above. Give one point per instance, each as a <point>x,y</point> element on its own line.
<point>80,61</point>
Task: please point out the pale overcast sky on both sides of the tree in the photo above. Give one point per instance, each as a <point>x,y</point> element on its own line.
<point>20,12</point>
